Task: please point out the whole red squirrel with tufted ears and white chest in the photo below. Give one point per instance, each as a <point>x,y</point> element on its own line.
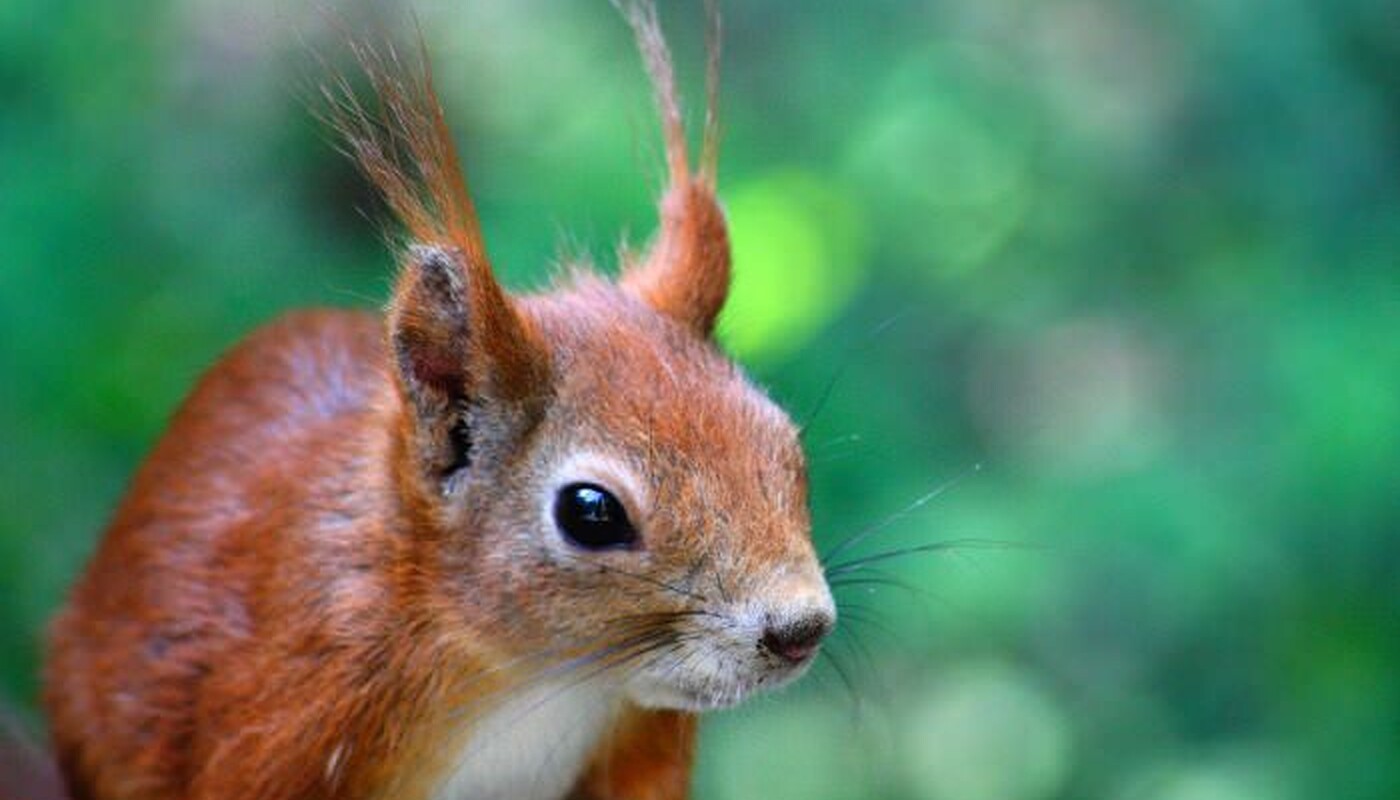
<point>486,546</point>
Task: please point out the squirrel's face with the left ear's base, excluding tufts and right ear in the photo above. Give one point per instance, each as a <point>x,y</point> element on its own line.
<point>631,505</point>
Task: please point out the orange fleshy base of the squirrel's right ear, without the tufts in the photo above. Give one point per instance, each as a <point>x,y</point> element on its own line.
<point>687,273</point>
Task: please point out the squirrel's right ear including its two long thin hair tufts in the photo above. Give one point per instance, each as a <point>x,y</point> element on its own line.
<point>685,274</point>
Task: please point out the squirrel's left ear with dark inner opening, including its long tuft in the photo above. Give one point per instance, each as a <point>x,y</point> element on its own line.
<point>472,371</point>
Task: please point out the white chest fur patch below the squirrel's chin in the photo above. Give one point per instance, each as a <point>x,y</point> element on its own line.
<point>534,746</point>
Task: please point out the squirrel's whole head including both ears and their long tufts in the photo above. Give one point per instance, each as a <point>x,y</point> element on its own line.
<point>590,481</point>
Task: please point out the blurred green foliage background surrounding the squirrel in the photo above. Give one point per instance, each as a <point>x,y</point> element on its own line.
<point>1142,261</point>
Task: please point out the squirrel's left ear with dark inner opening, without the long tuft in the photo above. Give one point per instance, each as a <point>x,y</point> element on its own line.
<point>468,365</point>
